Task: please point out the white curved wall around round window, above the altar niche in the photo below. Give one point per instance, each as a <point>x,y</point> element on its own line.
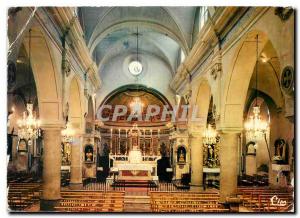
<point>156,75</point>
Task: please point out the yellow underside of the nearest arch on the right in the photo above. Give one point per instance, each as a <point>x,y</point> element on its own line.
<point>237,80</point>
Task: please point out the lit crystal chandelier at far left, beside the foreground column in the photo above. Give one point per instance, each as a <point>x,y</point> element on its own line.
<point>29,126</point>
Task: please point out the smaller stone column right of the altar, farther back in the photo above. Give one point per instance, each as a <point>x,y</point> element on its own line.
<point>196,159</point>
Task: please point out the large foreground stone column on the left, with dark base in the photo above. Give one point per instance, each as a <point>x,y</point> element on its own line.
<point>51,168</point>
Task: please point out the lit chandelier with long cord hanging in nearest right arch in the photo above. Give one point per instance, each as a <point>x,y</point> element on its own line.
<point>255,127</point>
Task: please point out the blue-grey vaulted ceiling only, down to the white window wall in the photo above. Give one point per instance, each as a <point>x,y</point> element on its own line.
<point>163,32</point>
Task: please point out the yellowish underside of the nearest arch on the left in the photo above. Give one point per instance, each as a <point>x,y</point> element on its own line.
<point>46,76</point>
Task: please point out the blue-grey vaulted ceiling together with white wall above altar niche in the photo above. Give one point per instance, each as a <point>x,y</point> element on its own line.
<point>163,34</point>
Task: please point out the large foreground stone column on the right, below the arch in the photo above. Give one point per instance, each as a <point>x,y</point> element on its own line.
<point>228,164</point>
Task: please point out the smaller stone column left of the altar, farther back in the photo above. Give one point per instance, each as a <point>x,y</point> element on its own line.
<point>76,163</point>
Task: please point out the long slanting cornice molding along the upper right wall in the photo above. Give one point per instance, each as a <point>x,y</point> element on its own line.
<point>207,48</point>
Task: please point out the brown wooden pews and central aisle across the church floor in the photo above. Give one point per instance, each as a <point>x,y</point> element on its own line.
<point>164,198</point>
